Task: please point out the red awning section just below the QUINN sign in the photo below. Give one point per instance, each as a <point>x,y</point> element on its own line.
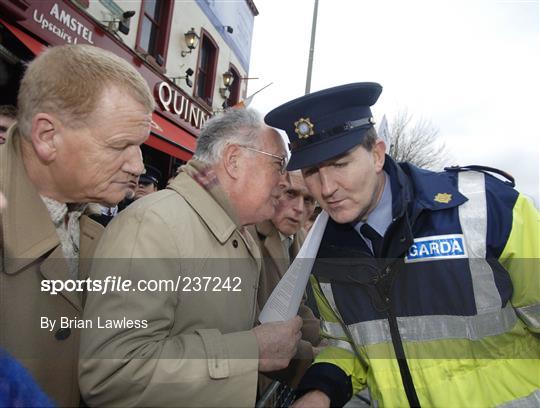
<point>171,139</point>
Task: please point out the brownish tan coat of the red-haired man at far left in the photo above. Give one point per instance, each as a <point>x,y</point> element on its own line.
<point>31,253</point>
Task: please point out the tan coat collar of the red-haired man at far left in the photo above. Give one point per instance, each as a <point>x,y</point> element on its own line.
<point>28,232</point>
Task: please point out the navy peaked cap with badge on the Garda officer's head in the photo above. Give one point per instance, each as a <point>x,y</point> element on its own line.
<point>327,123</point>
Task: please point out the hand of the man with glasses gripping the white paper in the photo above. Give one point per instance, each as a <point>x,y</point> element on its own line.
<point>278,343</point>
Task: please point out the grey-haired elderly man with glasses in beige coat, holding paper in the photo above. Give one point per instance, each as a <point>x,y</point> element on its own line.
<point>193,344</point>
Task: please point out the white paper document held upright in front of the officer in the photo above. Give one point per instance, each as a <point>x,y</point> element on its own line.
<point>285,299</point>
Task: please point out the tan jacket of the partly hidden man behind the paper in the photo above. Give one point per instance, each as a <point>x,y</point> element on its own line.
<point>276,263</point>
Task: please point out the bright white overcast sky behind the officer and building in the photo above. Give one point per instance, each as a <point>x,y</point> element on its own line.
<point>471,68</point>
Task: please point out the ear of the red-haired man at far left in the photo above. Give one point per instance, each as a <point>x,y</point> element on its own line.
<point>44,133</point>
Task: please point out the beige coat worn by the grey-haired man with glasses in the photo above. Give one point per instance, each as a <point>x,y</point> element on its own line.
<point>197,349</point>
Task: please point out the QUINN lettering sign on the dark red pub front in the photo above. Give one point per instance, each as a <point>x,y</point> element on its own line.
<point>174,102</point>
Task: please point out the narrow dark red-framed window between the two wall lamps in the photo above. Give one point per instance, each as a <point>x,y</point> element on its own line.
<point>206,68</point>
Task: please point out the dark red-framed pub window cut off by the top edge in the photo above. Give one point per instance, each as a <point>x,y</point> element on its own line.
<point>154,28</point>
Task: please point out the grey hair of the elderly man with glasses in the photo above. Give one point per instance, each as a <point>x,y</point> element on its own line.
<point>234,126</point>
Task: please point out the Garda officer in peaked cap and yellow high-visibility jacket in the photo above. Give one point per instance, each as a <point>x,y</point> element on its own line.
<point>427,283</point>
